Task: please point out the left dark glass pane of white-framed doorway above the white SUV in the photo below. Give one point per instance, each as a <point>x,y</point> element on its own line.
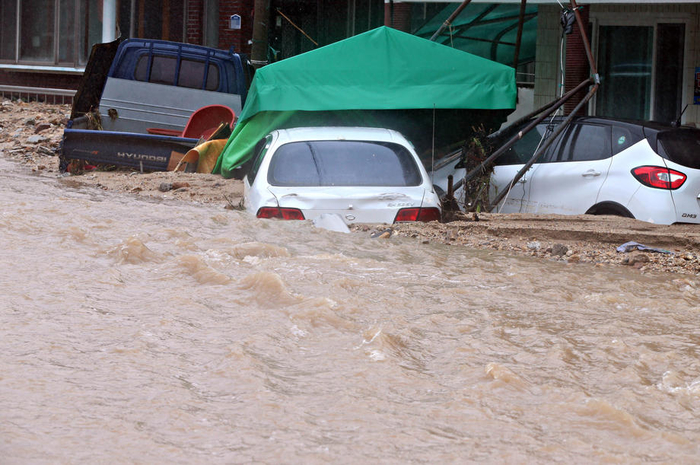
<point>625,71</point>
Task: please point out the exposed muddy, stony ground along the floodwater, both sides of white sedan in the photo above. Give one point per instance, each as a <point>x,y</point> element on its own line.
<point>30,133</point>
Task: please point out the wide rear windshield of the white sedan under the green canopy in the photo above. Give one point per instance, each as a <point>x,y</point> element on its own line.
<point>343,163</point>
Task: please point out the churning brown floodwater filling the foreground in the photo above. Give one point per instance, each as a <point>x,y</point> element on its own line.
<point>135,331</point>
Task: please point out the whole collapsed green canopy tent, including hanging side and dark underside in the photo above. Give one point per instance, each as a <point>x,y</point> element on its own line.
<point>383,78</point>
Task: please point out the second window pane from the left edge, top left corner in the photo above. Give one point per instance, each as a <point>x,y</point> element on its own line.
<point>37,31</point>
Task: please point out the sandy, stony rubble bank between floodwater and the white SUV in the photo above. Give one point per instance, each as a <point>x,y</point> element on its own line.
<point>569,239</point>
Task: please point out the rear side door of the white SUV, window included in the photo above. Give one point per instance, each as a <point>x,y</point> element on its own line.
<point>571,175</point>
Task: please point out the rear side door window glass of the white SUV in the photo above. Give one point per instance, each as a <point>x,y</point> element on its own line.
<point>584,142</point>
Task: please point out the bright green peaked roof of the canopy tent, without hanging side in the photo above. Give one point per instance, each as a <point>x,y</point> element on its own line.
<point>381,69</point>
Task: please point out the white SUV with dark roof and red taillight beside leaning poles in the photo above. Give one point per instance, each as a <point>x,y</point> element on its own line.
<point>643,170</point>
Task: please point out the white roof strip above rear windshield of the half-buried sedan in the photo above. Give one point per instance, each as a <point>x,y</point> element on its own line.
<point>340,133</point>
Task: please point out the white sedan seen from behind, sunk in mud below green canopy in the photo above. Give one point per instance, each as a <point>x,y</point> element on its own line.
<point>363,175</point>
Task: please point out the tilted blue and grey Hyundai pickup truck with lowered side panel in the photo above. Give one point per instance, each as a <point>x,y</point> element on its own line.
<point>132,86</point>
